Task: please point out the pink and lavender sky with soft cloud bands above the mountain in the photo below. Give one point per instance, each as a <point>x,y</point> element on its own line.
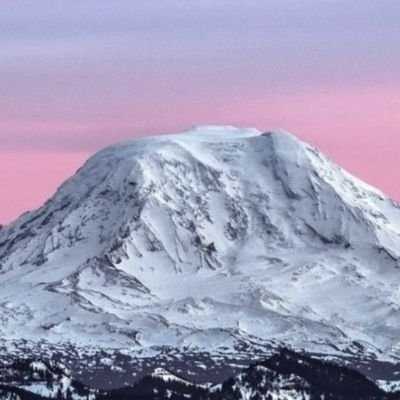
<point>78,75</point>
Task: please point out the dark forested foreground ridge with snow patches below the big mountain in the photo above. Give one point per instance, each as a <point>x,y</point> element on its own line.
<point>284,375</point>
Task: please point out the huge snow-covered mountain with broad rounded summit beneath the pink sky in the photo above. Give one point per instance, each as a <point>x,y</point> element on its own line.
<point>208,247</point>
